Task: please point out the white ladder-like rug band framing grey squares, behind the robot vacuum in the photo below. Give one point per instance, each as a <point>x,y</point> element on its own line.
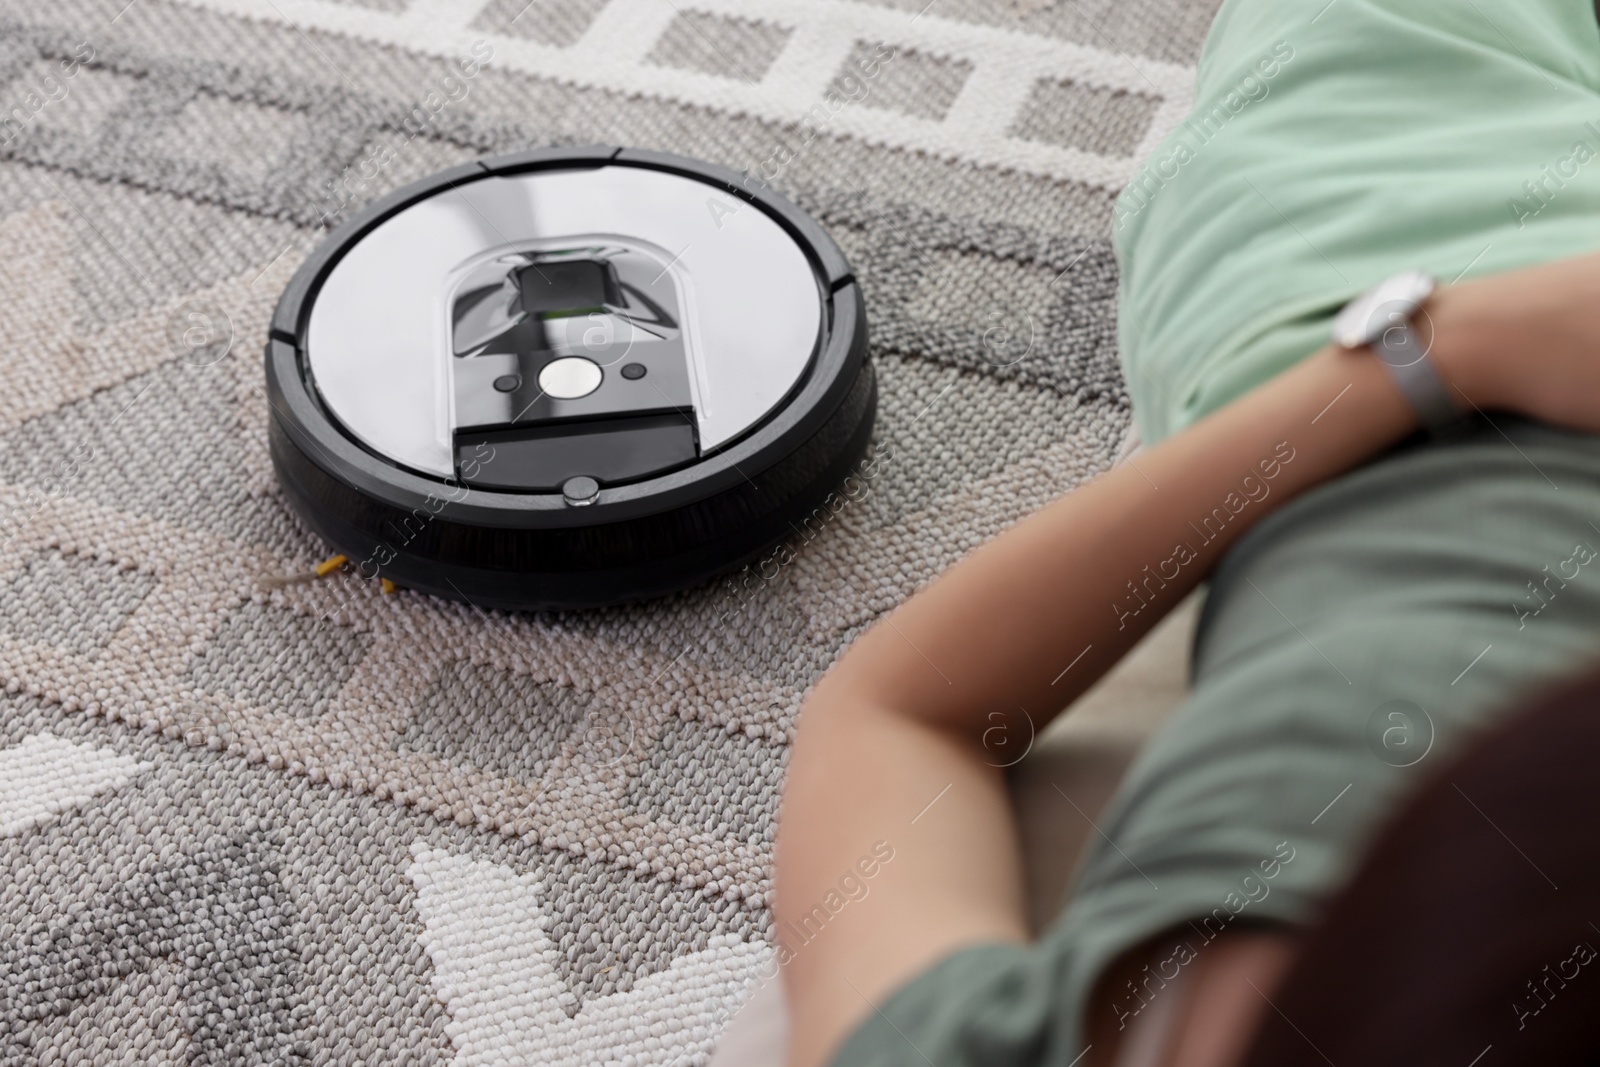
<point>982,81</point>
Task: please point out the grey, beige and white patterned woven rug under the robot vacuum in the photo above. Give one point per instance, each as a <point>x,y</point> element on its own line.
<point>311,823</point>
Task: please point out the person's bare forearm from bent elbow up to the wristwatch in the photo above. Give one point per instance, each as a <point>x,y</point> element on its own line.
<point>1095,570</point>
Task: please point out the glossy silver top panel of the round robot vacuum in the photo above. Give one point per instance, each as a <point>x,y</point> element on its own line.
<point>380,340</point>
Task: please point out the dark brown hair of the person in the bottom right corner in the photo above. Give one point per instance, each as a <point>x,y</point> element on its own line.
<point>1470,932</point>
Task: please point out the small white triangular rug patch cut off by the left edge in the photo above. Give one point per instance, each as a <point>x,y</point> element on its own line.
<point>47,777</point>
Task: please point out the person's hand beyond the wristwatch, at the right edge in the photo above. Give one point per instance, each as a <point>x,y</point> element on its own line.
<point>1526,342</point>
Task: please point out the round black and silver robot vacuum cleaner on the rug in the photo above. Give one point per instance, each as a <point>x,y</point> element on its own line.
<point>569,378</point>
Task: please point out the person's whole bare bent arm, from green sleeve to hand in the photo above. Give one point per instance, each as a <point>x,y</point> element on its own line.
<point>890,759</point>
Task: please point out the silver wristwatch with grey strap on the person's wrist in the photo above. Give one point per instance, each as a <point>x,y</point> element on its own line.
<point>1382,319</point>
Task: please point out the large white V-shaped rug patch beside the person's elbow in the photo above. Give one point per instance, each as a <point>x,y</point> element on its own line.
<point>495,969</point>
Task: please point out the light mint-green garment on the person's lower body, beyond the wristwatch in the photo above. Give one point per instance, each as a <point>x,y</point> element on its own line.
<point>1462,140</point>
